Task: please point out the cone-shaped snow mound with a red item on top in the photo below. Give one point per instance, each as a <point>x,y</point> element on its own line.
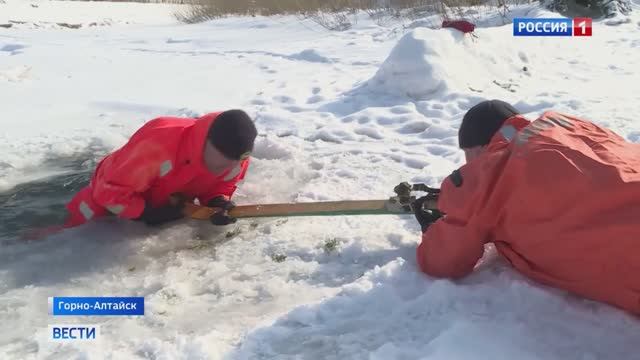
<point>428,63</point>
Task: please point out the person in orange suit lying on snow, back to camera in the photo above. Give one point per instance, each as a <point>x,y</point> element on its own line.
<point>559,197</point>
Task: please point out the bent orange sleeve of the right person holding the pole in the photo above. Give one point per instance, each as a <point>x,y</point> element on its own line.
<point>452,245</point>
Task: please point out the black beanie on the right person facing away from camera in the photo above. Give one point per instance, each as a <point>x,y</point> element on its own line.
<point>482,121</point>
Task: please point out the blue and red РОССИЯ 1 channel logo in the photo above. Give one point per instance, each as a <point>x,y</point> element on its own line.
<point>552,27</point>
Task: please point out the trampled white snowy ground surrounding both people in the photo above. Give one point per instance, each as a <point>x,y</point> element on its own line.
<point>341,116</point>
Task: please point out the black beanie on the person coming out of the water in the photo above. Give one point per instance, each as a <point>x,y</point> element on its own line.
<point>233,133</point>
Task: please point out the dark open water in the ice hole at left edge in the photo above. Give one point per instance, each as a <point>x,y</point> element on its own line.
<point>41,203</point>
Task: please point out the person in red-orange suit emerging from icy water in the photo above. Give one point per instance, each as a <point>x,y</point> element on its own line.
<point>201,158</point>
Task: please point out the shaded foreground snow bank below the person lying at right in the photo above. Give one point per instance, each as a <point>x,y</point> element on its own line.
<point>392,313</point>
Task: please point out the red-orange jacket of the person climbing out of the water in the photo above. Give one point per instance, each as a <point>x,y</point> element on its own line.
<point>163,157</point>
